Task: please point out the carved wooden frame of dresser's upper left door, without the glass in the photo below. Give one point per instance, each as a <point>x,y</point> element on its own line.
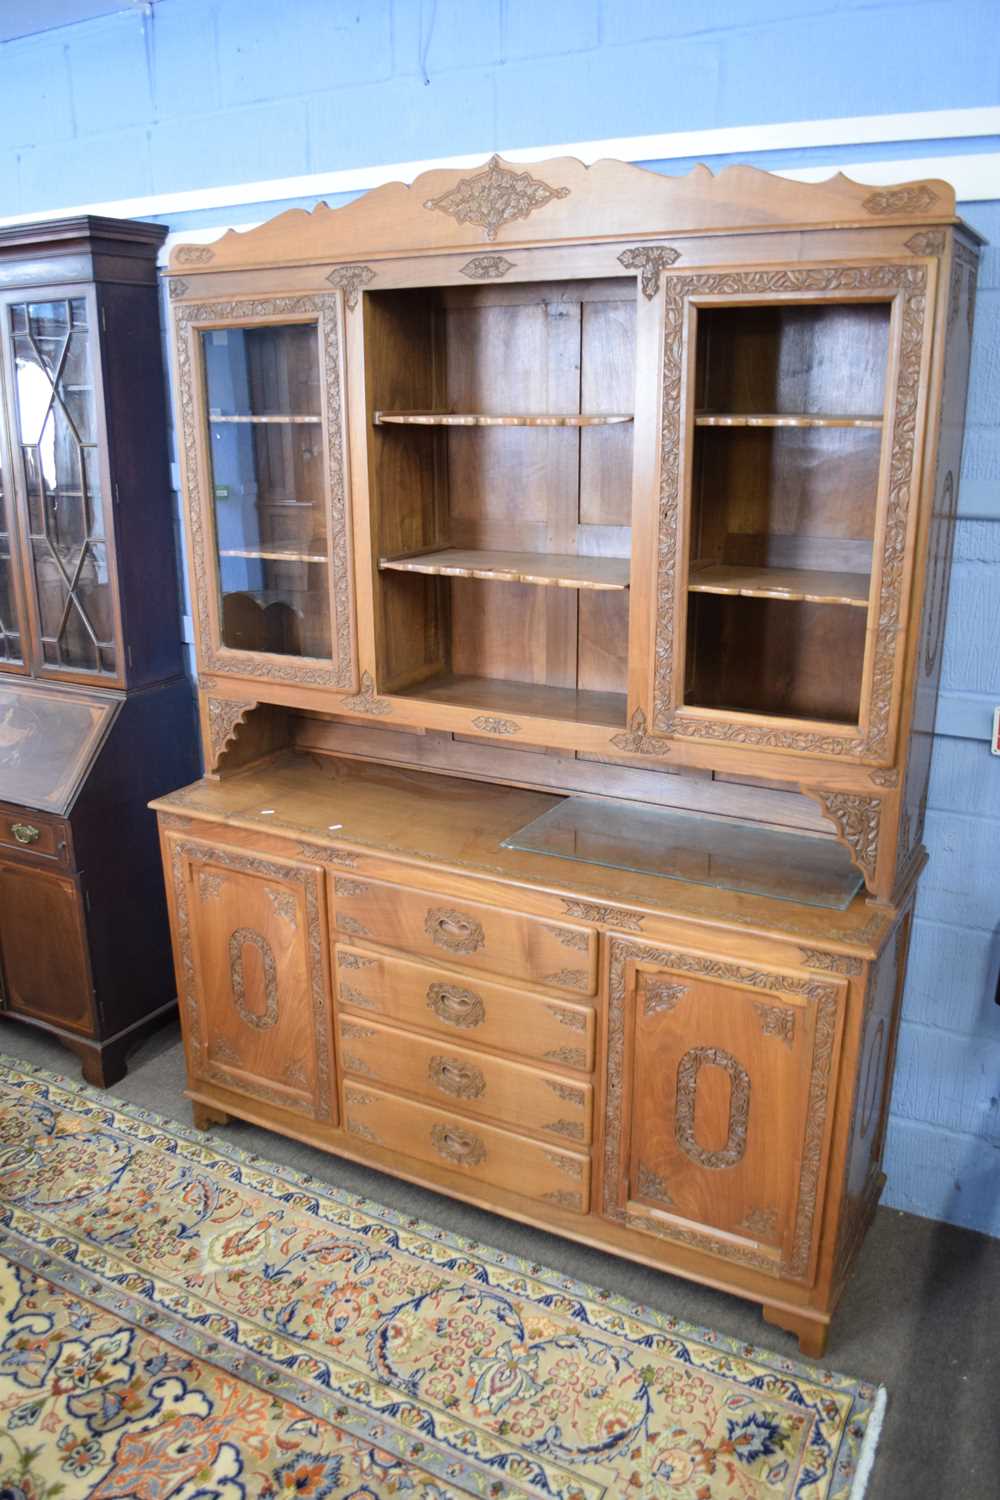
<point>325,310</point>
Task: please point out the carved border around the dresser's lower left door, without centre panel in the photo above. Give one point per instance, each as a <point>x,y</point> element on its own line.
<point>184,853</point>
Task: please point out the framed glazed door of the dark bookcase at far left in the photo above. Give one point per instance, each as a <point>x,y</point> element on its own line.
<point>61,469</point>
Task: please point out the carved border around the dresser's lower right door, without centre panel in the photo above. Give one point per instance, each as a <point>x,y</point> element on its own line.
<point>615,1192</point>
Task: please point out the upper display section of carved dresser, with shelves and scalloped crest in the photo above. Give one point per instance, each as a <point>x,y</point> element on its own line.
<point>647,472</point>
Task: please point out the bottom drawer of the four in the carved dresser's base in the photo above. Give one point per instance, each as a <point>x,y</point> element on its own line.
<point>482,1153</point>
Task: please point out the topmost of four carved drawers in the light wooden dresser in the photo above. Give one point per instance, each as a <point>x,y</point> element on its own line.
<point>560,956</point>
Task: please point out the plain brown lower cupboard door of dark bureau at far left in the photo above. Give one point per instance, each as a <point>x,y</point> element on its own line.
<point>44,947</point>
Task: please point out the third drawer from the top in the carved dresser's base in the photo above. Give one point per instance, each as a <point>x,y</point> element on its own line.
<point>469,1081</point>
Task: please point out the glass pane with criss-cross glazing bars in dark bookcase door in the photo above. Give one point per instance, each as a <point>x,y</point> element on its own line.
<point>58,431</point>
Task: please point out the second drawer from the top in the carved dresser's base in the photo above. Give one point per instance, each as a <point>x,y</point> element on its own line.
<point>464,1007</point>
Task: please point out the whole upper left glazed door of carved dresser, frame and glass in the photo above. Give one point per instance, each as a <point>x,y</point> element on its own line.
<point>263,412</point>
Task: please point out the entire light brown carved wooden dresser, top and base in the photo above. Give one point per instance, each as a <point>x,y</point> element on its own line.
<point>570,553</point>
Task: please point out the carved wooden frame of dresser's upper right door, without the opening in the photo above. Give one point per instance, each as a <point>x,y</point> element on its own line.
<point>911,292</point>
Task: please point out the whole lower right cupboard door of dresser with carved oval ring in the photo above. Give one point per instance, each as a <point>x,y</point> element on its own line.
<point>717,1105</point>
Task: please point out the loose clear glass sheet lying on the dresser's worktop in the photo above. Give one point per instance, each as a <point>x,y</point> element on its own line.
<point>722,853</point>
